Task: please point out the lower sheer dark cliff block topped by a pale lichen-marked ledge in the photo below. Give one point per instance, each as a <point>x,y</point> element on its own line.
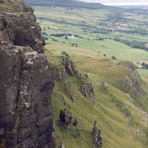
<point>25,88</point>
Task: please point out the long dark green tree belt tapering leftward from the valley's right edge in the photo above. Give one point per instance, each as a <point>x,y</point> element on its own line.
<point>133,44</point>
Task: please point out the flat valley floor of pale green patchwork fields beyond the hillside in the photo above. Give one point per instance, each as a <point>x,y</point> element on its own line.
<point>85,23</point>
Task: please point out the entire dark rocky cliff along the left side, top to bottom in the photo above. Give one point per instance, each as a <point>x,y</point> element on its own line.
<point>26,81</point>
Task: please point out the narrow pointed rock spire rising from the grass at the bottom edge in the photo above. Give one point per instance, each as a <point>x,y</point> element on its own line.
<point>97,136</point>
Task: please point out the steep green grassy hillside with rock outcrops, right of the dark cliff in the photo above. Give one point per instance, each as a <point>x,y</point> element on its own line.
<point>120,118</point>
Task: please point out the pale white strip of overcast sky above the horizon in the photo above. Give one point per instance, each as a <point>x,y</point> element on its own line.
<point>120,2</point>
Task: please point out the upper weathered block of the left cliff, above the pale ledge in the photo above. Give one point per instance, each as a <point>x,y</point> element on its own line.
<point>19,26</point>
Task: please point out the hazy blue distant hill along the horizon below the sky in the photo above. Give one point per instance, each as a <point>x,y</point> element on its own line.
<point>65,3</point>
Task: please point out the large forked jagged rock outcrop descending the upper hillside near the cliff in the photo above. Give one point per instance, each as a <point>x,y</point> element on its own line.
<point>86,87</point>
